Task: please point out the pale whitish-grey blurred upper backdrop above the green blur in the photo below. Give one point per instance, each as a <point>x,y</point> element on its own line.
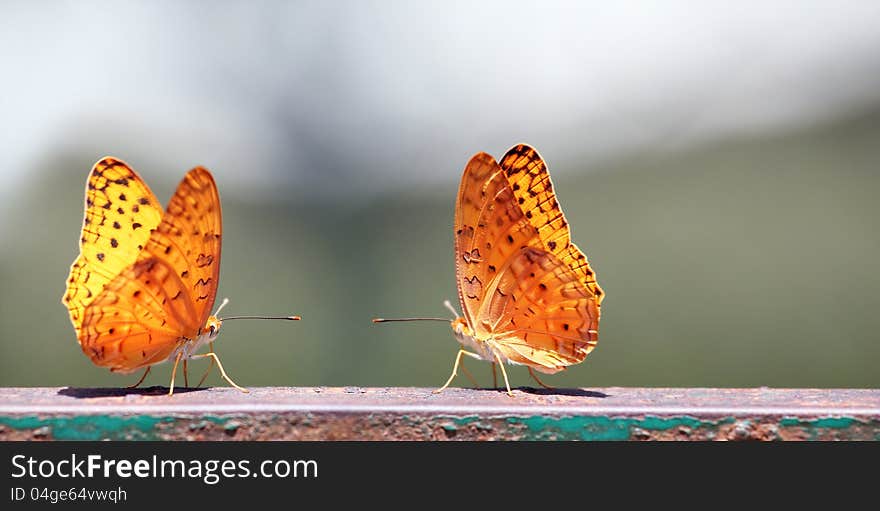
<point>306,91</point>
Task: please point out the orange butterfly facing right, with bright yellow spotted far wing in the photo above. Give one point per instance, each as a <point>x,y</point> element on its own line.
<point>142,288</point>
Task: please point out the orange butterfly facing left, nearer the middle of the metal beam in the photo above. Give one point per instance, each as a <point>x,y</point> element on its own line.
<point>528,293</point>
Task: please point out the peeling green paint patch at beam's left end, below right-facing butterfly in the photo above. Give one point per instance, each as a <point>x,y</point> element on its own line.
<point>94,427</point>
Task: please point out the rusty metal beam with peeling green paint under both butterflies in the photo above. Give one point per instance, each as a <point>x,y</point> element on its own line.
<point>356,413</point>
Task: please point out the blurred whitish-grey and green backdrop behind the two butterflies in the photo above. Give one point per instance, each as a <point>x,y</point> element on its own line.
<point>718,165</point>
